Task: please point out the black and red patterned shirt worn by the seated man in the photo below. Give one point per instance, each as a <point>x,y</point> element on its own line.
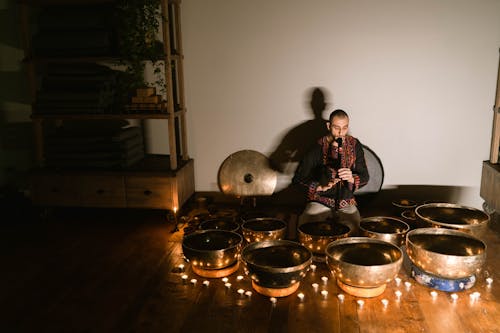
<point>323,159</point>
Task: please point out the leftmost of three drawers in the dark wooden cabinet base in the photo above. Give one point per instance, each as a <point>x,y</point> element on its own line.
<point>55,190</point>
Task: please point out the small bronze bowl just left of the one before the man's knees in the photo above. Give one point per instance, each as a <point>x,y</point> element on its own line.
<point>263,228</point>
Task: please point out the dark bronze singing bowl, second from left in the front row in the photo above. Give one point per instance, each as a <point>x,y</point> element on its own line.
<point>276,263</point>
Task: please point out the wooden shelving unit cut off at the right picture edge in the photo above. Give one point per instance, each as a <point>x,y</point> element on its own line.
<point>490,179</point>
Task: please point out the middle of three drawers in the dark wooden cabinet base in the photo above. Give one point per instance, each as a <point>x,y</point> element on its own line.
<point>102,191</point>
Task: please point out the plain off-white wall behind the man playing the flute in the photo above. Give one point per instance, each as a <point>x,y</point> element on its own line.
<point>418,79</point>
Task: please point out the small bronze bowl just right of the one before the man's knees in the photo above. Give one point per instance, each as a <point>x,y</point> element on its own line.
<point>388,229</point>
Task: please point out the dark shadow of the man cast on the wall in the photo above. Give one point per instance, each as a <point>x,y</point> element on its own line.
<point>293,146</point>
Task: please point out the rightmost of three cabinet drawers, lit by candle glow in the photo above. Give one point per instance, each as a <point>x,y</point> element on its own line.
<point>150,192</point>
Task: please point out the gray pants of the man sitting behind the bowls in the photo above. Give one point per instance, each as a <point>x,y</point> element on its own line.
<point>316,212</point>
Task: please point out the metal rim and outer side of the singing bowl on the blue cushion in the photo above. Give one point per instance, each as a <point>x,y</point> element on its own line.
<point>435,266</point>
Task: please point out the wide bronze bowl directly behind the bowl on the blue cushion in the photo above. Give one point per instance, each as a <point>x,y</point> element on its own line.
<point>452,216</point>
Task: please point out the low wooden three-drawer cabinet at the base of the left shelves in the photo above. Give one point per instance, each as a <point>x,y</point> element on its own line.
<point>126,189</point>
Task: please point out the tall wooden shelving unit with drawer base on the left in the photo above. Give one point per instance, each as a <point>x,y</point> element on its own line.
<point>158,181</point>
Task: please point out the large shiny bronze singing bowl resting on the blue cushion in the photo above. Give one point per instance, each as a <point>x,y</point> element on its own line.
<point>446,253</point>
